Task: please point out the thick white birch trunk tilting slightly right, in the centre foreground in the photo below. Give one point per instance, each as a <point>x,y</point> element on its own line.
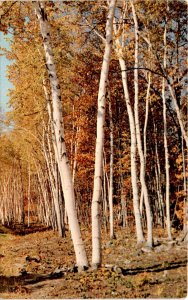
<point>96,235</point>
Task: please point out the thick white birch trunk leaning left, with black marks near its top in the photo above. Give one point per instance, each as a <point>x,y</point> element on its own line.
<point>61,155</point>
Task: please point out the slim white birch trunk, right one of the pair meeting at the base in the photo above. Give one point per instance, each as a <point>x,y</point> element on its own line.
<point>138,136</point>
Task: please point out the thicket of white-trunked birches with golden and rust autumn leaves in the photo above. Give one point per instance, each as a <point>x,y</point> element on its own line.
<point>66,159</point>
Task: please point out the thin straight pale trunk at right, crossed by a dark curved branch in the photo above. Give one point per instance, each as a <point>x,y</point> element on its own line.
<point>168,225</point>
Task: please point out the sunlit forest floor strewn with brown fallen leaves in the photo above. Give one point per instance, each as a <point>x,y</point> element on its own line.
<point>41,265</point>
